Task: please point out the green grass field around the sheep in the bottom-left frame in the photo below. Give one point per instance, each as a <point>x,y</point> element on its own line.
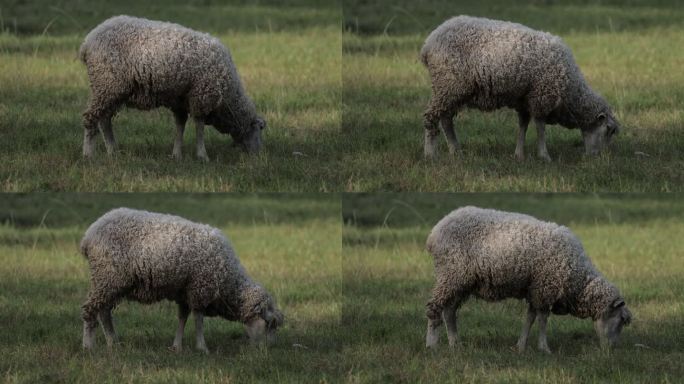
<point>291,244</point>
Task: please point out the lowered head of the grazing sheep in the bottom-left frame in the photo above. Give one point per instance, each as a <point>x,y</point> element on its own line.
<point>263,318</point>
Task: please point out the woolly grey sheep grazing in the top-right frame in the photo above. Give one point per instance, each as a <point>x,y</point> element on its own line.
<point>491,64</point>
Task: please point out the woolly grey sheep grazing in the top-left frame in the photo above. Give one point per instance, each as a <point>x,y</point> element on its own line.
<point>146,64</point>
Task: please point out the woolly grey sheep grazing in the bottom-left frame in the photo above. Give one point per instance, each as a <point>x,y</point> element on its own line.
<point>148,257</point>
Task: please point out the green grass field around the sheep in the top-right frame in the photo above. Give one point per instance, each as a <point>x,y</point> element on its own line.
<point>625,50</point>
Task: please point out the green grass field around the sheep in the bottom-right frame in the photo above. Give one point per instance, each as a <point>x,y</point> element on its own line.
<point>633,239</point>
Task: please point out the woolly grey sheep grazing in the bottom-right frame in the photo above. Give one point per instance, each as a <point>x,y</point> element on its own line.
<point>494,255</point>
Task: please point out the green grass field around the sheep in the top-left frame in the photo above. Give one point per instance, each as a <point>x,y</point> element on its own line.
<point>287,53</point>
